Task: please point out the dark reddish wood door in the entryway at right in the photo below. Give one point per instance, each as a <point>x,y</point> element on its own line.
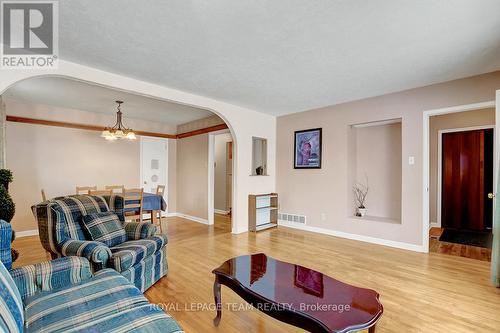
<point>467,178</point>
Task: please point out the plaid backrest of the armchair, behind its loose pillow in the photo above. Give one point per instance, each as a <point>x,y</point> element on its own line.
<point>74,207</point>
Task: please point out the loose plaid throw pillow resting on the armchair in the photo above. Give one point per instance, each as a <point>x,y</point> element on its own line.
<point>105,228</point>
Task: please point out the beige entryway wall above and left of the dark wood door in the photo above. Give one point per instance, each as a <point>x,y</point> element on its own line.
<point>449,121</point>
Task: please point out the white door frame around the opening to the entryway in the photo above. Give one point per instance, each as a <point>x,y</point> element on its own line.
<point>426,157</point>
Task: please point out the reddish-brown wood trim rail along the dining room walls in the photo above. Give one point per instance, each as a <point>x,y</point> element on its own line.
<point>33,121</point>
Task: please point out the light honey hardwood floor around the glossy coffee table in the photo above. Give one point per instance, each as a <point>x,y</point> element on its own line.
<point>420,292</point>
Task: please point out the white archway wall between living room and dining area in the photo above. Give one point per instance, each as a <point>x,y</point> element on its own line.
<point>244,124</point>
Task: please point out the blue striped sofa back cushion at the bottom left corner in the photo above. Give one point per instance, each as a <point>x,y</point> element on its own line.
<point>11,306</point>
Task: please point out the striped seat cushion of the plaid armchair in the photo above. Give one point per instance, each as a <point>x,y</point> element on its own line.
<point>130,253</point>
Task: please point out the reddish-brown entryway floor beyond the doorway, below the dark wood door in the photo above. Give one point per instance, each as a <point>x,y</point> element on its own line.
<point>466,251</point>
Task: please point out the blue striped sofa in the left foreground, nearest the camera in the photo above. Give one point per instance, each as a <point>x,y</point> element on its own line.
<point>63,295</point>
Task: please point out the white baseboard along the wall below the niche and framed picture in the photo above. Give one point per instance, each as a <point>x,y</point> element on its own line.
<point>367,239</point>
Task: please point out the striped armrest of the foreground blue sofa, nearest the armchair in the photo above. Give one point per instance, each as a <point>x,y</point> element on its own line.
<point>49,275</point>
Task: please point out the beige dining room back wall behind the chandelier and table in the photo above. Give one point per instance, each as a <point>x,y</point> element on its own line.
<point>57,159</point>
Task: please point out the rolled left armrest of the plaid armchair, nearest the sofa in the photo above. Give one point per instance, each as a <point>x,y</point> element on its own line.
<point>96,252</point>
